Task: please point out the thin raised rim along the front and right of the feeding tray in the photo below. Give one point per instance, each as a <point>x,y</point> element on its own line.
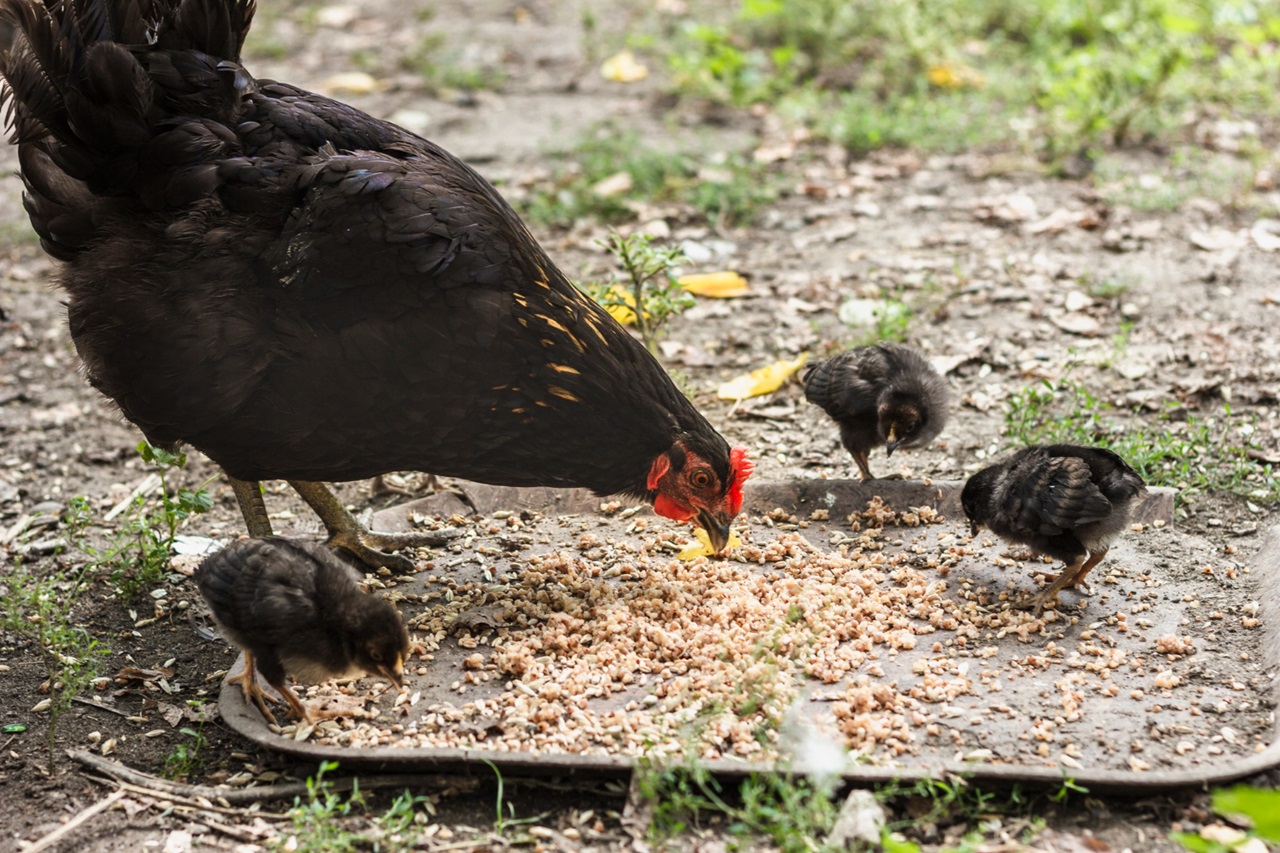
<point>246,722</point>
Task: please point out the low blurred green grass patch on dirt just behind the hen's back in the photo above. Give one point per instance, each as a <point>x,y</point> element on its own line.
<point>728,189</point>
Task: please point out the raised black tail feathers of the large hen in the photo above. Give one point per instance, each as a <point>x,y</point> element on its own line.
<point>93,90</point>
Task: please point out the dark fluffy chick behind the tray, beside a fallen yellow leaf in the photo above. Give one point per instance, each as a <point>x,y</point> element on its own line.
<point>886,395</point>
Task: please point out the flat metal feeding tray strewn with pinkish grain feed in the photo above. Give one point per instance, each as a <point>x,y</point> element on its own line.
<point>564,636</point>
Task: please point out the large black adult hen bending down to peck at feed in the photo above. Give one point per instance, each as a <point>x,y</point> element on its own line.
<point>305,293</point>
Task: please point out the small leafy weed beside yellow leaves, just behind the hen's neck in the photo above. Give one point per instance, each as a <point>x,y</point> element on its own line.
<point>647,293</point>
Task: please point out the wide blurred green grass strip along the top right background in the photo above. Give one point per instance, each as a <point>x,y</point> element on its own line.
<point>1062,76</point>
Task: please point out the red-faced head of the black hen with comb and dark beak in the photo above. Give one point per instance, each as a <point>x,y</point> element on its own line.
<point>701,486</point>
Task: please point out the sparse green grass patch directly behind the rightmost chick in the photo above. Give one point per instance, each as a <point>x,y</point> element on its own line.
<point>1194,455</point>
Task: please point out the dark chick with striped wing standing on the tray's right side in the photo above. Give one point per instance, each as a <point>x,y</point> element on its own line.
<point>1060,500</point>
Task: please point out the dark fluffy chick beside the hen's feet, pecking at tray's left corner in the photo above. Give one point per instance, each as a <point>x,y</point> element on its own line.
<point>296,609</point>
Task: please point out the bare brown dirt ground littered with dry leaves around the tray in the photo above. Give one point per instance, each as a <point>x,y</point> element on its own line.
<point>994,257</point>
